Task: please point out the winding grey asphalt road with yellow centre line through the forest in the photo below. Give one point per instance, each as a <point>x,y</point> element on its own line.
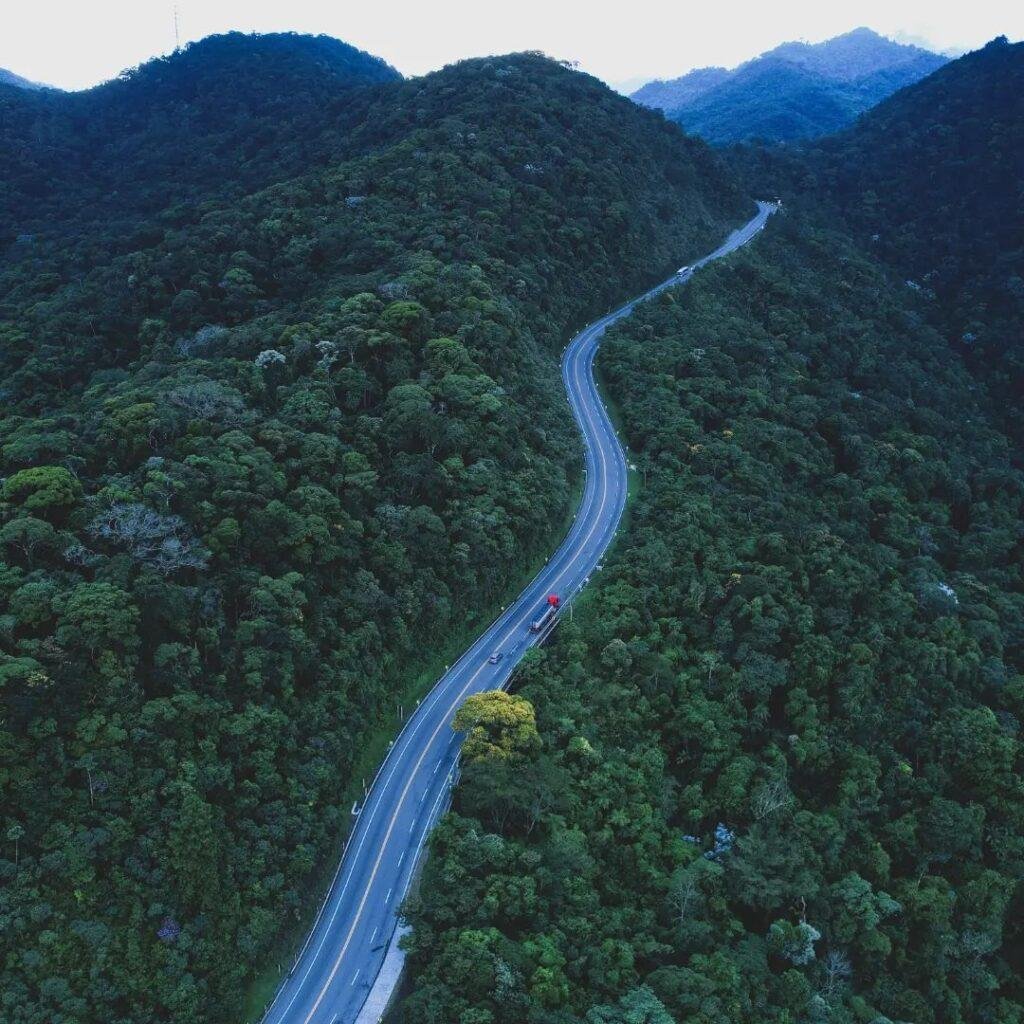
<point>344,954</point>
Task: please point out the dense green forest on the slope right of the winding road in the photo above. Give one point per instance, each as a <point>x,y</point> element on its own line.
<point>777,774</point>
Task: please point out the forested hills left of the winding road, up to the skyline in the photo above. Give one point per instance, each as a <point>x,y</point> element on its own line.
<point>264,441</point>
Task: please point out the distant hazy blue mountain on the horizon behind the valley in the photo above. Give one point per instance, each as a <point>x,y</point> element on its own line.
<point>797,91</point>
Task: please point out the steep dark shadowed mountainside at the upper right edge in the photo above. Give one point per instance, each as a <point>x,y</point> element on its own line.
<point>932,181</point>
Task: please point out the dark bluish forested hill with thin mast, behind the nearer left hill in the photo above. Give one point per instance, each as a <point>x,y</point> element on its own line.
<point>222,117</point>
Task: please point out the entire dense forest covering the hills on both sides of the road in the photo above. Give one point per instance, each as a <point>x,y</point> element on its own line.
<point>280,411</point>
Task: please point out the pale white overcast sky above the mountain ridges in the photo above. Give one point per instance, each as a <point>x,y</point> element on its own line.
<point>77,44</point>
